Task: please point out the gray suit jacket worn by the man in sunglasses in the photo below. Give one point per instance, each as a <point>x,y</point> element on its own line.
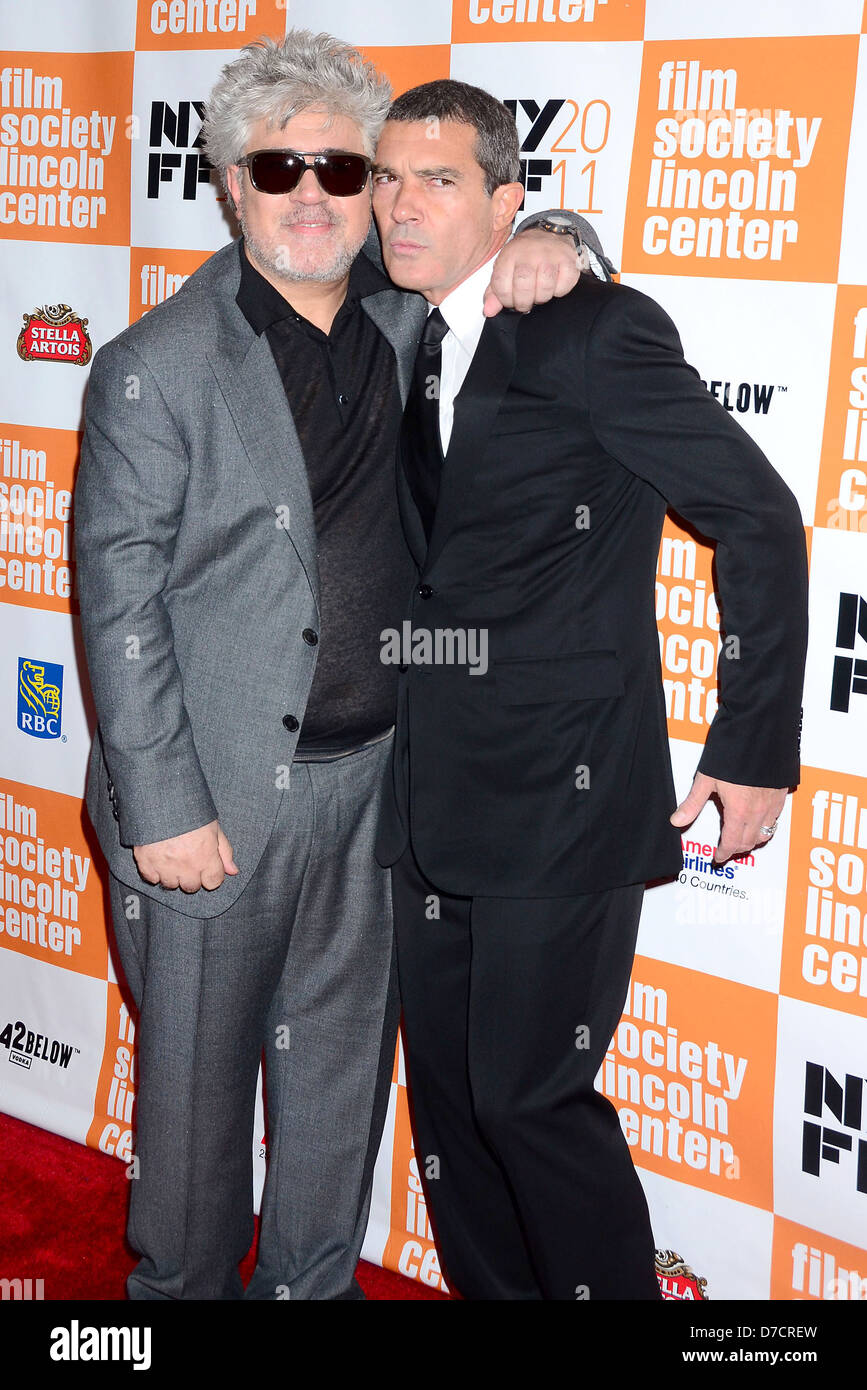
<point>198,575</point>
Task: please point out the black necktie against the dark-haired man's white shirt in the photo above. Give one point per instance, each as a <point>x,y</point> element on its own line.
<point>420,443</point>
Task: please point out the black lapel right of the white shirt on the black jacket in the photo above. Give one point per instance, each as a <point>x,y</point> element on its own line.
<point>476,409</point>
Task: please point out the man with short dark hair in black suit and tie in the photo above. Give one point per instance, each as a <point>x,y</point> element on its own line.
<point>531,800</point>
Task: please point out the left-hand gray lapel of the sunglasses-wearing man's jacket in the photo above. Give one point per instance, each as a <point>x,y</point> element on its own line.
<point>251,383</point>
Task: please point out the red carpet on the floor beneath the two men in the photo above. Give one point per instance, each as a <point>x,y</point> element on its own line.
<point>63,1214</point>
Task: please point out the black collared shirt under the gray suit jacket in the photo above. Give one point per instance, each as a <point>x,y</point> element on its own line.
<point>342,393</point>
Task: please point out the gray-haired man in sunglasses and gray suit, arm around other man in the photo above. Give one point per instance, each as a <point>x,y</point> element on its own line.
<point>240,553</point>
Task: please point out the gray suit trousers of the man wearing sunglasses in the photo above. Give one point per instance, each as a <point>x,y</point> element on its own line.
<point>301,967</point>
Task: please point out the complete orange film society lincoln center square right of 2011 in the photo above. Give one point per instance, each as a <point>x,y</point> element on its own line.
<point>740,158</point>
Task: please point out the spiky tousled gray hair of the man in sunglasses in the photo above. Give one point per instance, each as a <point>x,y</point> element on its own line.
<point>276,81</point>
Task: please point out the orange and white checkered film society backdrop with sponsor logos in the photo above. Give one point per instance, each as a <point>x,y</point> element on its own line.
<point>722,154</point>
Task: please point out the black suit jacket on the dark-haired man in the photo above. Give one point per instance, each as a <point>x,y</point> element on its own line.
<point>587,402</point>
